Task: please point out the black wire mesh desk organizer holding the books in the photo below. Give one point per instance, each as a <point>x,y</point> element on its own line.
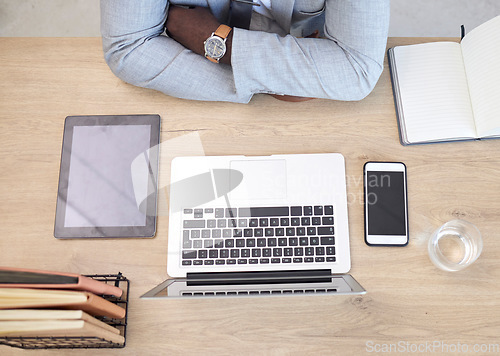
<point>82,342</point>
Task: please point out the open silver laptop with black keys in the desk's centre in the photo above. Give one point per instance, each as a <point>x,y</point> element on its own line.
<point>258,225</point>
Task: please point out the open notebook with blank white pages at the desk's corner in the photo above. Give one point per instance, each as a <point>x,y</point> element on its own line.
<point>448,91</point>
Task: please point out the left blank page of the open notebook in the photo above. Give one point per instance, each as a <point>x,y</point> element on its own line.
<point>434,92</point>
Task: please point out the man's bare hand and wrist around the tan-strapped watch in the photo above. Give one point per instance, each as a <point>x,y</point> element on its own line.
<point>192,26</point>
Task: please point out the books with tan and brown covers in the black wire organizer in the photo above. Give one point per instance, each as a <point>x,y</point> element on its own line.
<point>40,304</point>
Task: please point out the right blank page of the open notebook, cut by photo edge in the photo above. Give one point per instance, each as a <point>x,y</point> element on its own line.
<point>481,50</point>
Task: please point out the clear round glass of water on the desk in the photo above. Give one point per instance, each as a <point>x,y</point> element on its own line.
<point>455,245</point>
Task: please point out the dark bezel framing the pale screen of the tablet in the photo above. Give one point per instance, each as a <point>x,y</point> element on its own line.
<point>149,230</point>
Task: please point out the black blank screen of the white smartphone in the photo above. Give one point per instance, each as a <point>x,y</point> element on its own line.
<point>386,205</point>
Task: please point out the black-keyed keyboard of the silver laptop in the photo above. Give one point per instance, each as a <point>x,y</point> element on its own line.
<point>258,235</point>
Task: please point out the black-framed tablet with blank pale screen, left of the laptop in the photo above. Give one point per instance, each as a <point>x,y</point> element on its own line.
<point>108,177</point>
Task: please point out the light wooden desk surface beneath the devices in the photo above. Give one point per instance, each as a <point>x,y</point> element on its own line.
<point>409,302</point>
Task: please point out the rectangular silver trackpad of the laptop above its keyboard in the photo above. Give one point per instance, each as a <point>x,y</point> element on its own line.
<point>262,179</point>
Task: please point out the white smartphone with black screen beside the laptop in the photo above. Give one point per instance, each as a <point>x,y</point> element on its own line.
<point>386,204</point>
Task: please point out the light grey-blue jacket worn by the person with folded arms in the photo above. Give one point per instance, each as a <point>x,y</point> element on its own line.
<point>344,64</point>
